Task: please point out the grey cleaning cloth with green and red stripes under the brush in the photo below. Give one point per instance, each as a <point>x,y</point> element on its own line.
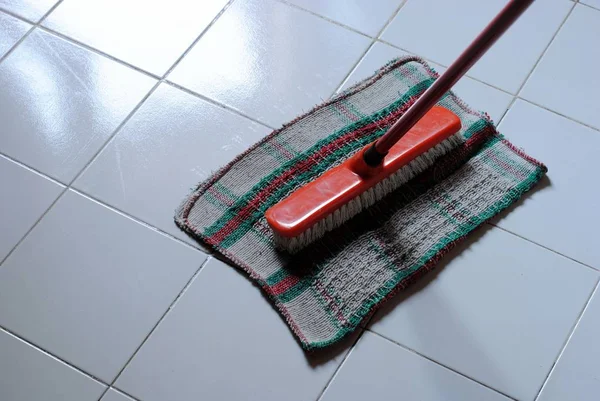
<point>325,291</point>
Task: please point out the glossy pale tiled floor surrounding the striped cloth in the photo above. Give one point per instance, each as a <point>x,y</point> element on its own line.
<point>110,111</point>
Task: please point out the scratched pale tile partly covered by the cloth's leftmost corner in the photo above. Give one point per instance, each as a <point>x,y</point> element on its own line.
<point>172,143</point>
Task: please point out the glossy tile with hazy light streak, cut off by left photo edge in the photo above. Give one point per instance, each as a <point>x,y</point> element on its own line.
<point>59,103</point>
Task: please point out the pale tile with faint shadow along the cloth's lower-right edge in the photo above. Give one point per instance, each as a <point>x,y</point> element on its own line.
<point>499,311</point>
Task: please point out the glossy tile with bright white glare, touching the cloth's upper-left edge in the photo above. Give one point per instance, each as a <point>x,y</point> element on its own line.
<point>270,60</point>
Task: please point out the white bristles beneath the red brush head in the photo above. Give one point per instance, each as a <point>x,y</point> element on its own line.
<point>367,198</point>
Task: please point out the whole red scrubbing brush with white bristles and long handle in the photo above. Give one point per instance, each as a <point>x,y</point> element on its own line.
<point>413,143</point>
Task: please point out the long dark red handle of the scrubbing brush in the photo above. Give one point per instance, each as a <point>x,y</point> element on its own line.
<point>509,14</point>
